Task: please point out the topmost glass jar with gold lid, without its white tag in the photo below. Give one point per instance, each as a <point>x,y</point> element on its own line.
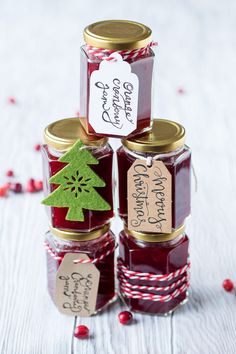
<point>123,37</point>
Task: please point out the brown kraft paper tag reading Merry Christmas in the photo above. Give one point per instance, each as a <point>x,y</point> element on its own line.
<point>149,197</point>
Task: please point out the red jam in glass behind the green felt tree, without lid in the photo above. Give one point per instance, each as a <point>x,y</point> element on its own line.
<point>92,219</point>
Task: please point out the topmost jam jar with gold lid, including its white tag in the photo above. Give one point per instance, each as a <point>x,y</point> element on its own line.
<point>116,100</point>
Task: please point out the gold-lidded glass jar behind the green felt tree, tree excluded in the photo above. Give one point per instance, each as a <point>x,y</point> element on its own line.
<point>59,137</point>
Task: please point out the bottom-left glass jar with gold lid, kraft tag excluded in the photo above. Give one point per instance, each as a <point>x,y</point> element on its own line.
<point>58,243</point>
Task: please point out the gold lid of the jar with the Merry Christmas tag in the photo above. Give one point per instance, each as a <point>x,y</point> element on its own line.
<point>164,136</point>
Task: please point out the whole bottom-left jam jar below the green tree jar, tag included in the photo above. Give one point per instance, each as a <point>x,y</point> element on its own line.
<point>99,247</point>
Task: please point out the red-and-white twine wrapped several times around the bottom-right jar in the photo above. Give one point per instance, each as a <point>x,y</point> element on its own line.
<point>136,291</point>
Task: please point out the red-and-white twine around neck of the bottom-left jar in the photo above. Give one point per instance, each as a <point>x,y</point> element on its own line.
<point>84,261</point>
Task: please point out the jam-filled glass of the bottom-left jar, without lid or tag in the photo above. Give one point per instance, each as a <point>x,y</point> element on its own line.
<point>93,249</point>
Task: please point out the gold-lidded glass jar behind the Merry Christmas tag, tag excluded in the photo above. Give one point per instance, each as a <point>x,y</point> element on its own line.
<point>164,142</point>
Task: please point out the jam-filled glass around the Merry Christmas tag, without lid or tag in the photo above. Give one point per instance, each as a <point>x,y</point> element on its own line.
<point>178,165</point>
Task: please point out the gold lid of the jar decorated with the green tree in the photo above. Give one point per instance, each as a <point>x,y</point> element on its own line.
<point>62,134</point>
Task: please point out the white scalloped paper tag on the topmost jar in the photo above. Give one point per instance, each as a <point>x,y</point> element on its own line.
<point>113,100</point>
